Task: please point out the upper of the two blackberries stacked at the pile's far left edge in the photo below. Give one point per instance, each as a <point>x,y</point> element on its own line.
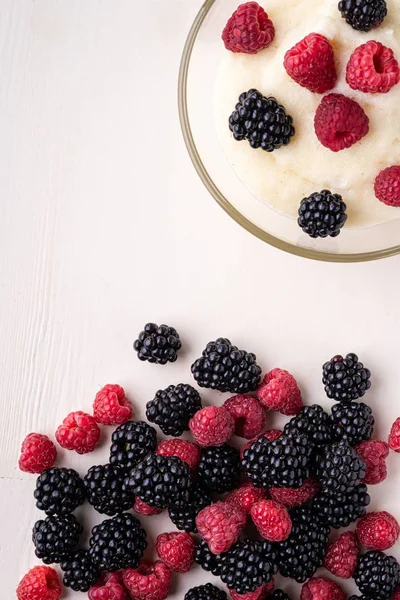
<point>59,491</point>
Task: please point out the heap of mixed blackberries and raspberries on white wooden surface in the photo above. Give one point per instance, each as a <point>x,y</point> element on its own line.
<point>301,483</point>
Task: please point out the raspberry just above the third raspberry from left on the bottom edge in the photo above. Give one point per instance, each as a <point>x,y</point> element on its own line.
<point>176,550</point>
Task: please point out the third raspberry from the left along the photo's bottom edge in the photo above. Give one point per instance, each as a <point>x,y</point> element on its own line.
<point>150,581</point>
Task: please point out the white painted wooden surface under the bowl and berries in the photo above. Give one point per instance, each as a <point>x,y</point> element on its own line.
<point>104,226</point>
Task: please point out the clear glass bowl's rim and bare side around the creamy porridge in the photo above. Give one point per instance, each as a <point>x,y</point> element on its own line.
<point>198,72</point>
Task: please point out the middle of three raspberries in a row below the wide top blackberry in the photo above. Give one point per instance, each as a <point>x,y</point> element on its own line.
<point>248,414</point>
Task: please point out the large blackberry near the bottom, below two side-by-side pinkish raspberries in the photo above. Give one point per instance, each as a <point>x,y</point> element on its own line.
<point>247,565</point>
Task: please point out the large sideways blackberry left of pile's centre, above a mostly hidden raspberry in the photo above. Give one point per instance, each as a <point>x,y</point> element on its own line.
<point>159,480</point>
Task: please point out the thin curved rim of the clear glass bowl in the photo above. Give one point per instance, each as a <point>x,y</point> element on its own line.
<point>214,190</point>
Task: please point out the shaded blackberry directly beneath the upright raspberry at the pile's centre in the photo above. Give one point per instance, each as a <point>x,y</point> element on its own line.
<point>219,468</point>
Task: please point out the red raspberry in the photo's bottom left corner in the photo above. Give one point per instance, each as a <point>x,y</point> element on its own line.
<point>40,583</point>
